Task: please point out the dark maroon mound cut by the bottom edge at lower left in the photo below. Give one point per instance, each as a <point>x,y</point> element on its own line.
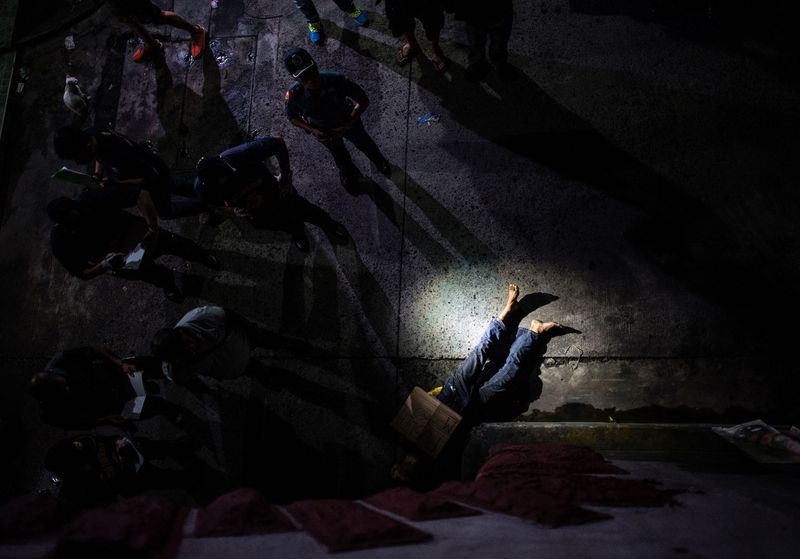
<point>142,526</point>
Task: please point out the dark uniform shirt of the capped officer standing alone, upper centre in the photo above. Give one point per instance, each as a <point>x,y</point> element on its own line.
<point>329,106</point>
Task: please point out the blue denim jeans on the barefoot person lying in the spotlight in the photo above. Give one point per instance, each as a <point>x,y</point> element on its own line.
<point>489,371</point>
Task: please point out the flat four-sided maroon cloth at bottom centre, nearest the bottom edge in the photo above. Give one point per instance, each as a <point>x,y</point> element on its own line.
<point>343,525</point>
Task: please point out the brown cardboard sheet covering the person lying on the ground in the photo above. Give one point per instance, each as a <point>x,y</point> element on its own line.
<point>426,421</point>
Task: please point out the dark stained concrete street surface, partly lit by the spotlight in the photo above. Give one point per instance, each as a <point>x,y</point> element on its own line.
<point>637,176</point>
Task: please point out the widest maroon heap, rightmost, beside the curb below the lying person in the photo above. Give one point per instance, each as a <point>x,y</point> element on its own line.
<point>546,483</point>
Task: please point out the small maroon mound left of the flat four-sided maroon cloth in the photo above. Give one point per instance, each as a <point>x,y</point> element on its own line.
<point>238,513</point>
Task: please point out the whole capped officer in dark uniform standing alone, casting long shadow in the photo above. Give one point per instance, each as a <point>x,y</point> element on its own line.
<point>328,106</point>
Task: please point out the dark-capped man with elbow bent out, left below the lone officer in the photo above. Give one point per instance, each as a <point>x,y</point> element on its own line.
<point>238,184</point>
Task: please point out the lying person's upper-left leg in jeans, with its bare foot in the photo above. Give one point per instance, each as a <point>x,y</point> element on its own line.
<point>458,389</point>
